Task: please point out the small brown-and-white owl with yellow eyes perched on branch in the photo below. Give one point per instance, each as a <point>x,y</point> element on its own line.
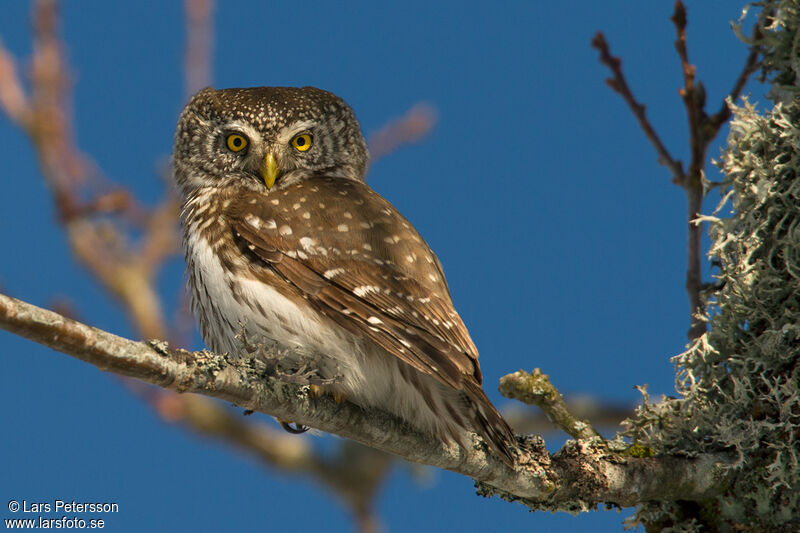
<point>285,242</point>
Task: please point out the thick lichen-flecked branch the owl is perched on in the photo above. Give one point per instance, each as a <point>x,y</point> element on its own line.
<point>578,477</point>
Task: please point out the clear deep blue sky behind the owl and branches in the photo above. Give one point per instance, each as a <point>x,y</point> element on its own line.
<point>562,239</point>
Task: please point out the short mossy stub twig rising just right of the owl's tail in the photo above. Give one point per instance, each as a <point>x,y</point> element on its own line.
<point>535,389</point>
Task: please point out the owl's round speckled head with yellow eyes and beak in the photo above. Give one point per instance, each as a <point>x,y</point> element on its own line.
<point>266,138</point>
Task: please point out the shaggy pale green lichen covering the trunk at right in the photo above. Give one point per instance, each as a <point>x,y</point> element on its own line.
<point>739,384</point>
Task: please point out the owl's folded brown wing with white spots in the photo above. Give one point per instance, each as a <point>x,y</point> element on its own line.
<point>392,292</point>
